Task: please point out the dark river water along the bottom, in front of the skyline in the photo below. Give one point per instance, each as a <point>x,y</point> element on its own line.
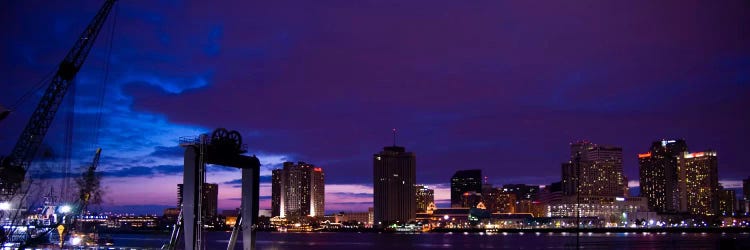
<point>388,241</point>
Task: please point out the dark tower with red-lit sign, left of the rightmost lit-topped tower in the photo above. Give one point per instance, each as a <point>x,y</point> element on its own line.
<point>658,174</point>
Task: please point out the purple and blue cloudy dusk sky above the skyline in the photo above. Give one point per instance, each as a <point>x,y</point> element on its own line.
<point>499,86</point>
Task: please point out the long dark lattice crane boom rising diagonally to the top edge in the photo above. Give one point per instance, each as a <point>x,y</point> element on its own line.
<point>13,167</point>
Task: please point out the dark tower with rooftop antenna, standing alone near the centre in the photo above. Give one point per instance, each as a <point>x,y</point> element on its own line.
<point>394,176</point>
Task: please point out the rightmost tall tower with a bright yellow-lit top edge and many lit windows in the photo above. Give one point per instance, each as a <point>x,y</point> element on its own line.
<point>698,182</point>
